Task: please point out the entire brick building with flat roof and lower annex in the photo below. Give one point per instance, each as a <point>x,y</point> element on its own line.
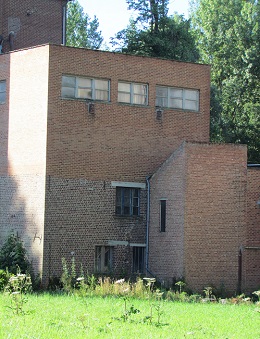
<point>106,157</point>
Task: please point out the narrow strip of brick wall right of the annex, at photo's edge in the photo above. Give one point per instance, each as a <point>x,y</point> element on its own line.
<point>251,254</point>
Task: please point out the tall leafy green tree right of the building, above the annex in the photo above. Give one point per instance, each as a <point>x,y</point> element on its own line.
<point>227,34</point>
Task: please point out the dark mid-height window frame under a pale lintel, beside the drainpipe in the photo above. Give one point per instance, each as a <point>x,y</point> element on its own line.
<point>121,196</point>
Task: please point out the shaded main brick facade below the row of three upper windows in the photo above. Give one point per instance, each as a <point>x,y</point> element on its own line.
<point>117,143</point>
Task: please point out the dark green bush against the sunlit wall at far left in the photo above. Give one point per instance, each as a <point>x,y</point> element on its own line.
<point>13,255</point>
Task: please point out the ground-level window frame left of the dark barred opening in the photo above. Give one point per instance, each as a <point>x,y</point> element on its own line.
<point>100,264</point>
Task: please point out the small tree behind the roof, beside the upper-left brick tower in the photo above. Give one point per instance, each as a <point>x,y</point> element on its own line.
<point>81,30</point>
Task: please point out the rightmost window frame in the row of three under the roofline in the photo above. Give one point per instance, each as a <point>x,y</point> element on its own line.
<point>183,98</point>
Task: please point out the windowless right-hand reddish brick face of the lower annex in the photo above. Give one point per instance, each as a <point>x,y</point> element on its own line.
<point>215,215</point>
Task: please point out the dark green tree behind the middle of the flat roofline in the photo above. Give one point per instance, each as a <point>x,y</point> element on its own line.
<point>155,34</point>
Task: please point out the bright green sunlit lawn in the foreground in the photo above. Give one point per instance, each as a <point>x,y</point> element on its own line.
<point>59,316</point>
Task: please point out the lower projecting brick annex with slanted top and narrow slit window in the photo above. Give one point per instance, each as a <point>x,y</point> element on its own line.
<point>205,188</point>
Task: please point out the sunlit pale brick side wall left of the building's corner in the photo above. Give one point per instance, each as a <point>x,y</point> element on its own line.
<point>23,148</point>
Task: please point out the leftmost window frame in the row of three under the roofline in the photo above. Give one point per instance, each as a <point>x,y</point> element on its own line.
<point>93,88</point>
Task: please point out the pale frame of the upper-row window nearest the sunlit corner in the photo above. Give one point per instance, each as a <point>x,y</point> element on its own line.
<point>92,88</point>
